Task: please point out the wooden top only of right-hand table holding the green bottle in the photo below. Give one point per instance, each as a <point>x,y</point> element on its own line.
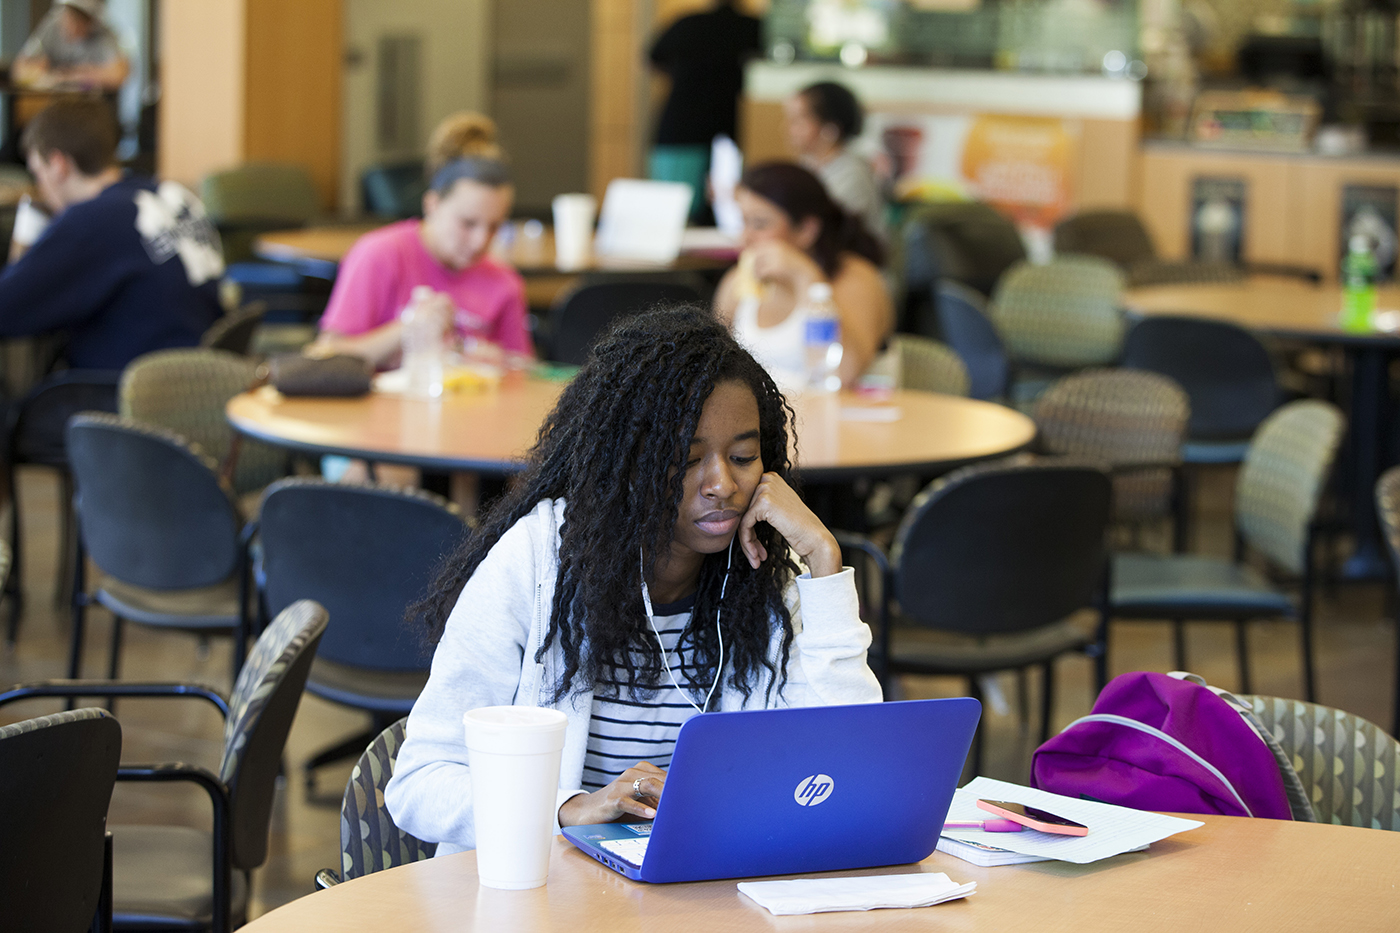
<point>1272,305</point>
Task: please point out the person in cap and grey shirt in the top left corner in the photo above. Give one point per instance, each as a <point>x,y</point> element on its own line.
<point>73,48</point>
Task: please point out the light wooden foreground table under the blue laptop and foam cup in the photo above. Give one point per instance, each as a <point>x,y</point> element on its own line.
<point>1233,875</point>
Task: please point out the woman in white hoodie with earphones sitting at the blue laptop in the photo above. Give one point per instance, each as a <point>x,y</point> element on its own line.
<point>646,568</point>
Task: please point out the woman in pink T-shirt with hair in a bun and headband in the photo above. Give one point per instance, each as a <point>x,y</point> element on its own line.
<point>470,197</point>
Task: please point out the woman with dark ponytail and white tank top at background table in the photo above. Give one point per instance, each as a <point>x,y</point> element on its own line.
<point>796,236</point>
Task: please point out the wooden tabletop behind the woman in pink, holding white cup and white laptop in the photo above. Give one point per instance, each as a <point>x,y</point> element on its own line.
<point>527,256</point>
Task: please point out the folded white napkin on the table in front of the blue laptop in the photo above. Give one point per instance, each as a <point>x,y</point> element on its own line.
<point>815,896</point>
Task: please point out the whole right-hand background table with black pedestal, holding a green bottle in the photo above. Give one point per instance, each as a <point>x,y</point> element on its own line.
<point>1300,310</point>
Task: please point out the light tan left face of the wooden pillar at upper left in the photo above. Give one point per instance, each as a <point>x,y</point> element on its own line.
<point>202,88</point>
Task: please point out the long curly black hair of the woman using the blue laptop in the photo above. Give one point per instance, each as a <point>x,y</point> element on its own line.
<point>615,450</point>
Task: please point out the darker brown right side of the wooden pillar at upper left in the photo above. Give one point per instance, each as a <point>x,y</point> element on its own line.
<point>293,88</point>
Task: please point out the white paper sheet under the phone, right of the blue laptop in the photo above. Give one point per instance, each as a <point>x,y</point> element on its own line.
<point>1112,830</point>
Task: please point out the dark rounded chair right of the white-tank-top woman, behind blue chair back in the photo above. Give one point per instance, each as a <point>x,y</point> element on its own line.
<point>969,243</point>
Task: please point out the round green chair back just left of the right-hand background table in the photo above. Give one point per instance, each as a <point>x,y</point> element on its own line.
<point>1062,316</point>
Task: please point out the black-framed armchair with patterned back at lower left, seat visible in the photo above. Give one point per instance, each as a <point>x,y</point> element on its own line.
<point>177,878</point>
